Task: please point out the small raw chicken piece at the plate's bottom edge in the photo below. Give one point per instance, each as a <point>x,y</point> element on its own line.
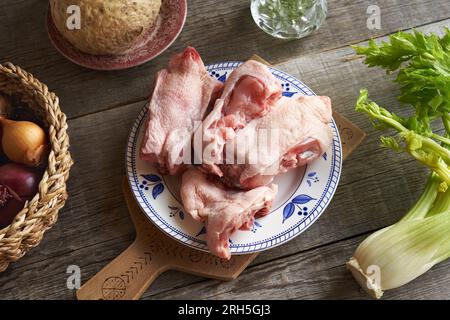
<point>222,210</point>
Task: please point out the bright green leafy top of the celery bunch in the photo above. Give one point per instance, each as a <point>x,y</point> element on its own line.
<point>425,79</point>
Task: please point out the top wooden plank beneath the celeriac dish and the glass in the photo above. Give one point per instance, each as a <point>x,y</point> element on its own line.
<point>220,30</point>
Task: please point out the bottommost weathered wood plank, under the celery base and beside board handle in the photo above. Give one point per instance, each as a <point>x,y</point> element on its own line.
<point>313,274</point>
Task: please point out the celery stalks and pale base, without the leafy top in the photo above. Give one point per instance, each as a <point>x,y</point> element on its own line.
<point>397,254</point>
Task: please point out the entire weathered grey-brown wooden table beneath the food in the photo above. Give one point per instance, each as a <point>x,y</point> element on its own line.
<point>376,187</point>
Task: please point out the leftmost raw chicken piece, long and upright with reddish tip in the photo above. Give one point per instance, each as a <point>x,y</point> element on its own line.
<point>180,98</point>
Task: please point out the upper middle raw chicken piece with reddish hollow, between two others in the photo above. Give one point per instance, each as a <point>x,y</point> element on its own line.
<point>250,92</point>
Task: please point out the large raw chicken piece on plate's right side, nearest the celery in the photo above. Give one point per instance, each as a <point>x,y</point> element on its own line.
<point>293,134</point>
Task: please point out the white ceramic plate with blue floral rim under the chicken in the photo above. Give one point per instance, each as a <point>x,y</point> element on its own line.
<point>304,193</point>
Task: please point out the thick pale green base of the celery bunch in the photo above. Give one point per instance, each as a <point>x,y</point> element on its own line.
<point>398,254</point>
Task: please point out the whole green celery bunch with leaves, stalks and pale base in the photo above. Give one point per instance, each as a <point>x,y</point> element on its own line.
<point>397,254</point>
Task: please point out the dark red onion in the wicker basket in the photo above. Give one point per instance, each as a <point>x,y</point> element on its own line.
<point>18,184</point>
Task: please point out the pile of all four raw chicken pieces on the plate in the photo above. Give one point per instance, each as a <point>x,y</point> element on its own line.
<point>250,103</point>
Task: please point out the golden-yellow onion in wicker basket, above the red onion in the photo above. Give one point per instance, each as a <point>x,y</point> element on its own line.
<point>23,141</point>
